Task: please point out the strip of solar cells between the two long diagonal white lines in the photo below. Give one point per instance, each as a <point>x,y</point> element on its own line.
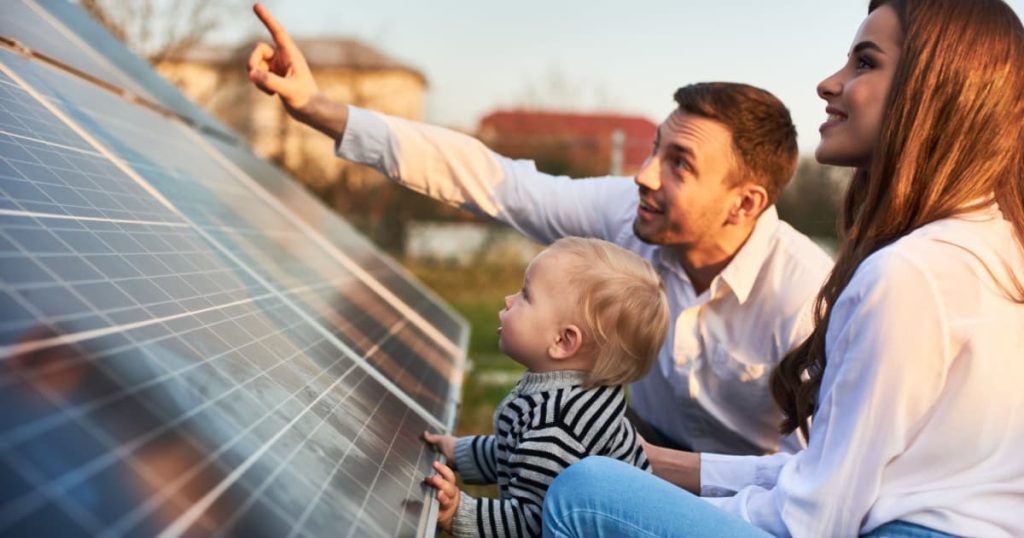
<point>215,198</point>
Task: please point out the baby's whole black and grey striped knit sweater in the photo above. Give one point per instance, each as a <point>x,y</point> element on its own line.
<point>544,426</point>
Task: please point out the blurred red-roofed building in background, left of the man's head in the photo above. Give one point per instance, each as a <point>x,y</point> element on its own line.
<point>577,145</point>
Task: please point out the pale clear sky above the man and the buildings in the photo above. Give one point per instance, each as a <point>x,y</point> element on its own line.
<point>595,56</point>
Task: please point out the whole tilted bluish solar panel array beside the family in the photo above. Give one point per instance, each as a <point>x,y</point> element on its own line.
<point>191,344</point>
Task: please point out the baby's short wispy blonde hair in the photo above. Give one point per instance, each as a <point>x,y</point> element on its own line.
<point>624,308</point>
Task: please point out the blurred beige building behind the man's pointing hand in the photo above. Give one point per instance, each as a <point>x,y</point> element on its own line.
<point>346,70</point>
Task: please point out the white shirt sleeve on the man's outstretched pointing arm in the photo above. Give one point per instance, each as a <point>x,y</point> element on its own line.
<point>461,172</point>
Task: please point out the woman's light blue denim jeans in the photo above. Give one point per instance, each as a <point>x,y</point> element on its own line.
<point>605,498</point>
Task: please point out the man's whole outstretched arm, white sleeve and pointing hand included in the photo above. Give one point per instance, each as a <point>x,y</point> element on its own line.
<point>443,164</point>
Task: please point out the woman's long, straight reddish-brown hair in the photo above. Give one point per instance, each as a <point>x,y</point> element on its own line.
<point>953,138</point>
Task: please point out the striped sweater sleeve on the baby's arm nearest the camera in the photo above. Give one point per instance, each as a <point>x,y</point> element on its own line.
<point>541,456</point>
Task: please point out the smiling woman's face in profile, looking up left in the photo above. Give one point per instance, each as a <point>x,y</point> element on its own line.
<point>857,94</point>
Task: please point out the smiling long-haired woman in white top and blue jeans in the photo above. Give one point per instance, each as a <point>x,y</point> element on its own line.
<point>915,369</point>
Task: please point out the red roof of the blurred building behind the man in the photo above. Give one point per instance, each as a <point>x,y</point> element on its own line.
<point>591,131</point>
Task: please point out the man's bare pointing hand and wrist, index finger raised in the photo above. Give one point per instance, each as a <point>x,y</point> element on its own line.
<point>282,70</point>
